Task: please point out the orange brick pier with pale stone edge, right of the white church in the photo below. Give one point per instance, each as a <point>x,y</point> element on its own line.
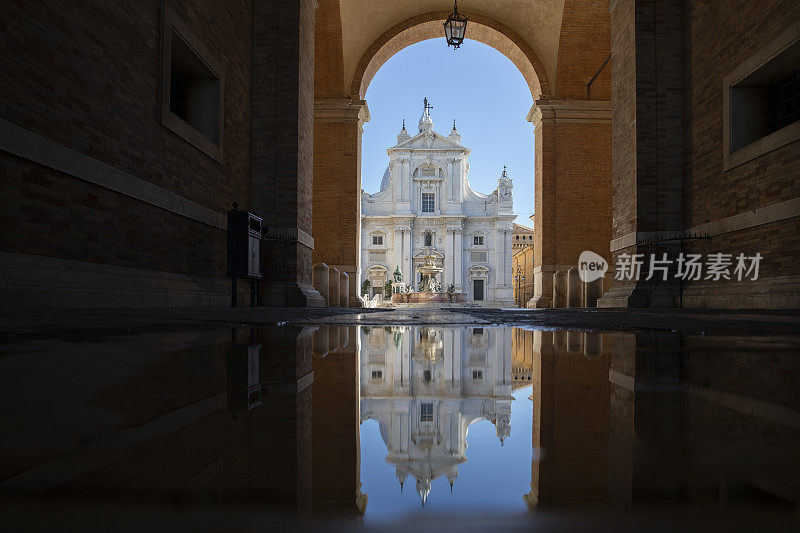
<point>572,187</point>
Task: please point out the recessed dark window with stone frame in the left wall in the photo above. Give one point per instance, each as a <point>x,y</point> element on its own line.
<point>192,88</point>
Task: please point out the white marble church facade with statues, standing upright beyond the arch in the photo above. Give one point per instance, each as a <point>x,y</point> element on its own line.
<point>426,212</point>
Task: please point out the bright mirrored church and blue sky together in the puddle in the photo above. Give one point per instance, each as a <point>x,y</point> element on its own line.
<point>428,394</point>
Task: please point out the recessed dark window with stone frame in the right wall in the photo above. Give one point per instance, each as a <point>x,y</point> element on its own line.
<point>762,107</point>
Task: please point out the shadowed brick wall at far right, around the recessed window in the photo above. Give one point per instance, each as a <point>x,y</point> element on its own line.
<point>717,38</point>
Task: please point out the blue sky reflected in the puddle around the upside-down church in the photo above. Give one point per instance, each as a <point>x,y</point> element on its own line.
<point>492,478</point>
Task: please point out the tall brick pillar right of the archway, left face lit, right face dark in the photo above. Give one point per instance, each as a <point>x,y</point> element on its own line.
<point>647,159</point>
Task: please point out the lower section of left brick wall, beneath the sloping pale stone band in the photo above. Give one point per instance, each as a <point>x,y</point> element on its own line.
<point>46,212</point>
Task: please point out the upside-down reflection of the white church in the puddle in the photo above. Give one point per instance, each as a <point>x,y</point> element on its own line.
<point>426,386</point>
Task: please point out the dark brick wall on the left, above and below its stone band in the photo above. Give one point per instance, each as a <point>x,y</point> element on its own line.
<point>86,75</point>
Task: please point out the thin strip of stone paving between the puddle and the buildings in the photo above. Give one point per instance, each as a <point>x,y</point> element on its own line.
<point>53,322</point>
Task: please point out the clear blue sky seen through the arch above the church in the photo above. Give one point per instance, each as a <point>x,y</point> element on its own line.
<point>476,85</point>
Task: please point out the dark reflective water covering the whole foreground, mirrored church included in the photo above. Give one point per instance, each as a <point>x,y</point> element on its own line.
<point>455,425</point>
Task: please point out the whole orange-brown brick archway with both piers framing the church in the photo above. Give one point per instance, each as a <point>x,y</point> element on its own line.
<point>574,132</point>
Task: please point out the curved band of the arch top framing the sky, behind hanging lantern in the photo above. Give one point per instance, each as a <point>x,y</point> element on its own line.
<point>428,26</point>
